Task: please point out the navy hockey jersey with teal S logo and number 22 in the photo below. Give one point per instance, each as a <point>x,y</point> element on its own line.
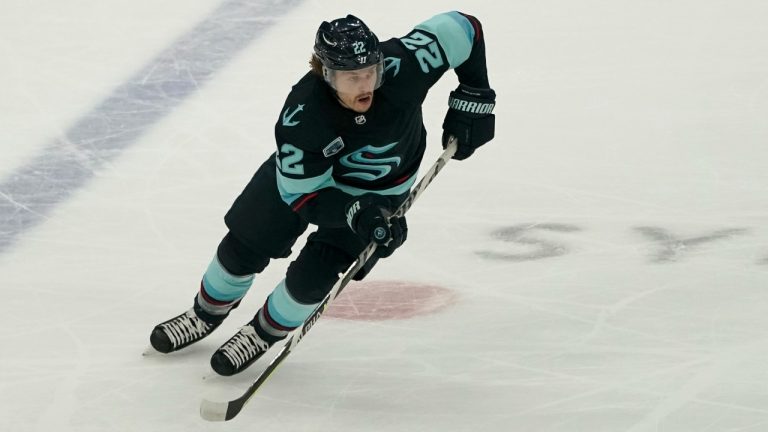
<point>327,154</point>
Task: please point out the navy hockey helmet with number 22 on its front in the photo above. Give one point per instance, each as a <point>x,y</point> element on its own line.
<point>347,44</point>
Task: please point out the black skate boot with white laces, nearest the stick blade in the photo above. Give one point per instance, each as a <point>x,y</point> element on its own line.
<point>243,349</point>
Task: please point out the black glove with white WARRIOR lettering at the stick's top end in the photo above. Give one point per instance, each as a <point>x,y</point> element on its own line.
<point>470,119</point>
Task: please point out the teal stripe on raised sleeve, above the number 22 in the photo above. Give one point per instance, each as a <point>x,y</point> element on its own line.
<point>455,34</point>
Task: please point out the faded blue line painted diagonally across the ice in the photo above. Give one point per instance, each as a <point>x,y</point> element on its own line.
<point>31,192</point>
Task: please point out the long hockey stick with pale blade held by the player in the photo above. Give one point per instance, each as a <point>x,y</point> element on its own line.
<point>223,411</point>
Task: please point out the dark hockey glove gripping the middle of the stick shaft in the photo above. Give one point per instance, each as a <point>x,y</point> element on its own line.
<point>369,216</point>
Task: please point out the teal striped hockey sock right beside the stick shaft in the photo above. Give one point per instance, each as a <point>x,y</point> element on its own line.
<point>281,313</point>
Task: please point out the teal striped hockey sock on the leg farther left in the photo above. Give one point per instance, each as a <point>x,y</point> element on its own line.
<point>220,290</point>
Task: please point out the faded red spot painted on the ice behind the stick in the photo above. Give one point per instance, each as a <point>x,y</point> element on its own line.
<point>389,300</point>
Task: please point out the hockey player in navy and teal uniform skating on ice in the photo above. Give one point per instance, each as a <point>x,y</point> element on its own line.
<point>350,138</point>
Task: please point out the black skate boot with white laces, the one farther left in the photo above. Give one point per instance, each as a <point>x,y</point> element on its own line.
<point>185,329</point>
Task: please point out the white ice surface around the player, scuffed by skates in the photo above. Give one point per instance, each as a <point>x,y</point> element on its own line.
<point>608,249</point>
